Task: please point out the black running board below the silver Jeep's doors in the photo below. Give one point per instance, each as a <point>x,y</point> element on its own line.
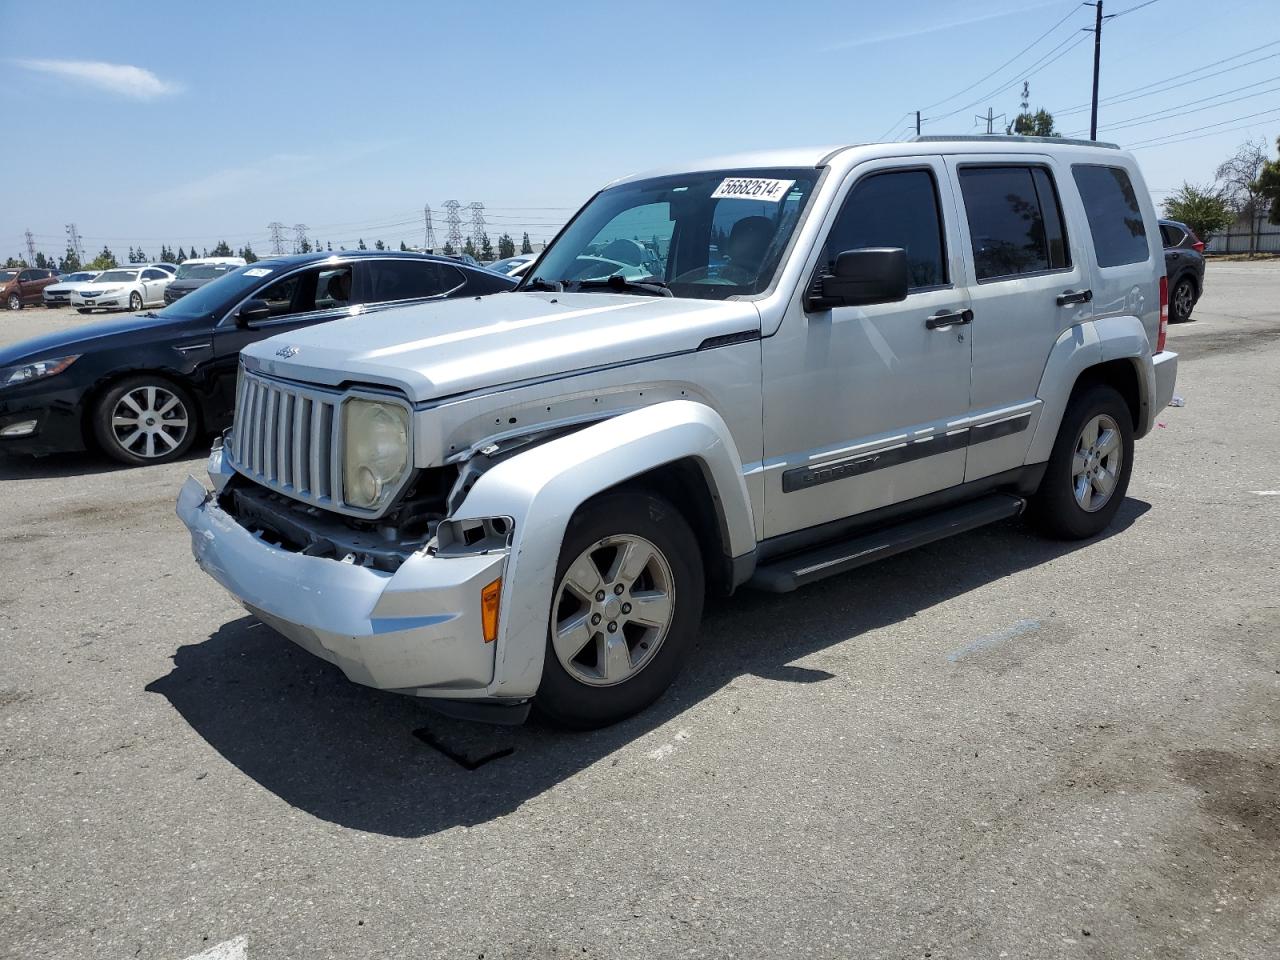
<point>801,569</point>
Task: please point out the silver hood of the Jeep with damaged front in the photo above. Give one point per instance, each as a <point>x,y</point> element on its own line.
<point>441,350</point>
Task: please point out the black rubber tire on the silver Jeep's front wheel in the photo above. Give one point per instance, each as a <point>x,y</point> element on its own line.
<point>569,701</point>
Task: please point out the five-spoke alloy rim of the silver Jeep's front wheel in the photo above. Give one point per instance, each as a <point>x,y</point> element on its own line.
<point>614,609</point>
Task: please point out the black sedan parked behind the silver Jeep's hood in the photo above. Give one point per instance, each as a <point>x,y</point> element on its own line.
<point>144,388</point>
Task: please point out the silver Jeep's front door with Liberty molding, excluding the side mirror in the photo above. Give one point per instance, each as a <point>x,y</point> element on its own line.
<point>862,404</point>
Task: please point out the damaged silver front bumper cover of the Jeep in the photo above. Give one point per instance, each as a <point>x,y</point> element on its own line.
<point>417,632</point>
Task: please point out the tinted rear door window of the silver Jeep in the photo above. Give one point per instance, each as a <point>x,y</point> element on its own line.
<point>1016,222</point>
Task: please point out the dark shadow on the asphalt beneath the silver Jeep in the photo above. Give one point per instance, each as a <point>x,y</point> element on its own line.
<point>387,765</point>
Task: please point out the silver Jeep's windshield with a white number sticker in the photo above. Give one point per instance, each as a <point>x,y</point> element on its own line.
<point>707,236</point>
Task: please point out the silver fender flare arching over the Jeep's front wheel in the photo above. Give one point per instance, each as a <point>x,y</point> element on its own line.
<point>541,490</point>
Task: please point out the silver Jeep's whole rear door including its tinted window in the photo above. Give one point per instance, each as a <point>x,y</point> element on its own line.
<point>1028,284</point>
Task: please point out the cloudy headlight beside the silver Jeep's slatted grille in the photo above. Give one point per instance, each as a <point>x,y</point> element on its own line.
<point>376,455</point>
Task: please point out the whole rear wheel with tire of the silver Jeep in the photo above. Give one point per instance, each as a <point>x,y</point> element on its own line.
<point>1089,472</point>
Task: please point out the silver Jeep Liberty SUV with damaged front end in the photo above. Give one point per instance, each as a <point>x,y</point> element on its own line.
<point>523,499</point>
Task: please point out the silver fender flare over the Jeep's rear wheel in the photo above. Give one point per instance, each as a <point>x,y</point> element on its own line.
<point>1078,349</point>
